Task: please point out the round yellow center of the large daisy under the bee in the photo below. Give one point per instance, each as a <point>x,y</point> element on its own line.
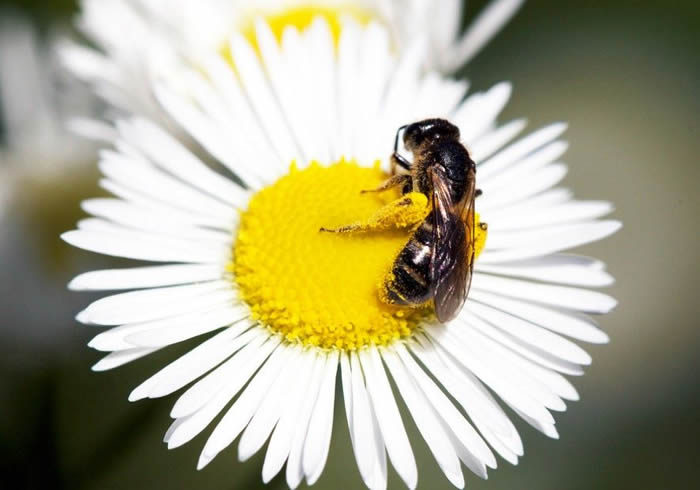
<point>321,288</point>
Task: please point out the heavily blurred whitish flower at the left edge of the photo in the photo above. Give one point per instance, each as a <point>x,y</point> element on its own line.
<point>36,100</point>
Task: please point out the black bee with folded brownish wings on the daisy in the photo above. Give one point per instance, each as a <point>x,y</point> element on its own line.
<point>438,260</point>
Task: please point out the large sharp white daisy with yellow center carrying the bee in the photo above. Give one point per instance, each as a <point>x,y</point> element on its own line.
<point>286,308</point>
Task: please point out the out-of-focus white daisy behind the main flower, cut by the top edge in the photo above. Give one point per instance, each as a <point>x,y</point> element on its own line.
<point>161,31</point>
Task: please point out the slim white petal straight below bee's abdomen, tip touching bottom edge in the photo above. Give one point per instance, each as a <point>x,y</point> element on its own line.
<point>393,431</point>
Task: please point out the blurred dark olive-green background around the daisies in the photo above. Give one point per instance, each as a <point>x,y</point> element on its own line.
<point>626,75</point>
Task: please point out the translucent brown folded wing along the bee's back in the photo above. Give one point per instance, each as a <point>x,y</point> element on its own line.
<point>453,246</point>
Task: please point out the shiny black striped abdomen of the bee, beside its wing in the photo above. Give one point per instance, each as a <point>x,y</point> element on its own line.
<point>410,283</point>
